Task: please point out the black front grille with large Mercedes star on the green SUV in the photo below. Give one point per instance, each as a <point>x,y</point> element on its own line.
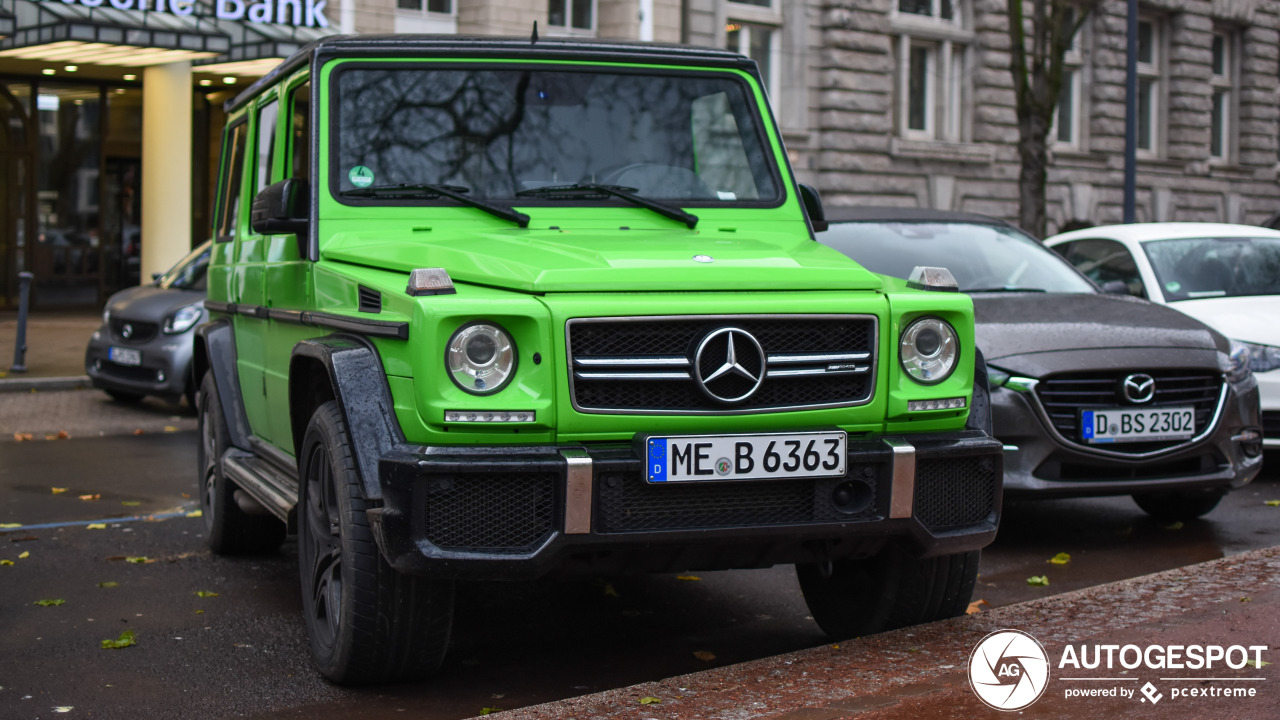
<point>652,366</point>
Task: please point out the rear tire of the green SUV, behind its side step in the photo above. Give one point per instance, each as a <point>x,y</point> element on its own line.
<point>231,530</point>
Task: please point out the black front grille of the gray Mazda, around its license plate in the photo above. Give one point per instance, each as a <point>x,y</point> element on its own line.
<point>1066,397</point>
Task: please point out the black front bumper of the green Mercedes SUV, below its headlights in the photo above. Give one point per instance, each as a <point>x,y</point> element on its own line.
<point>528,512</point>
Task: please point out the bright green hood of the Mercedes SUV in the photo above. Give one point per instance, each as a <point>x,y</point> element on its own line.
<point>551,261</point>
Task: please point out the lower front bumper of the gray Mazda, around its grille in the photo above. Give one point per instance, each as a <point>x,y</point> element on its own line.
<point>1040,464</point>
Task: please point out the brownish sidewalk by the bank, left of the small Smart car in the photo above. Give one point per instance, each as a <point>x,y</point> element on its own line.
<point>56,350</point>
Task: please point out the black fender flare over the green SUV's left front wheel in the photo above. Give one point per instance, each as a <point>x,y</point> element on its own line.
<point>350,372</point>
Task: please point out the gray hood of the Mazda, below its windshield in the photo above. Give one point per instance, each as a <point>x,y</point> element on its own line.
<point>1021,325</point>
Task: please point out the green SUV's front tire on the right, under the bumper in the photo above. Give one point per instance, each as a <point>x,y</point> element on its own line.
<point>888,591</point>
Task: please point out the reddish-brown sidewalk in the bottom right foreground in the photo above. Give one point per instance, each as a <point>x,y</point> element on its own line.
<point>922,673</point>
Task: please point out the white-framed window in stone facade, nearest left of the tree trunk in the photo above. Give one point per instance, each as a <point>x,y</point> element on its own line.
<point>931,60</point>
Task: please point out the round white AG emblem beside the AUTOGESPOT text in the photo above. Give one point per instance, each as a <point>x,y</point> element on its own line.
<point>1009,671</point>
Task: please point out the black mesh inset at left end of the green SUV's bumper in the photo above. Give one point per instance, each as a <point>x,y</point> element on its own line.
<point>491,513</point>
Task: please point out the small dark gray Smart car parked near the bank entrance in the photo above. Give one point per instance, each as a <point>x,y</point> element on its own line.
<point>145,344</point>
